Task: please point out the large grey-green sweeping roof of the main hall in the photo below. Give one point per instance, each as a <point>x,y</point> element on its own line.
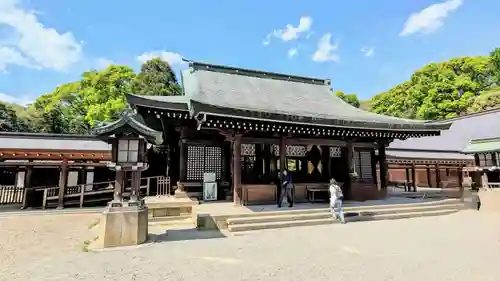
<point>239,92</point>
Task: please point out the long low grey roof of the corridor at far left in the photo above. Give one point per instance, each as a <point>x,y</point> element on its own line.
<point>31,141</point>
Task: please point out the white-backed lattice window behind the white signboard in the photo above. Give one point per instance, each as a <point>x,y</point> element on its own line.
<point>204,159</point>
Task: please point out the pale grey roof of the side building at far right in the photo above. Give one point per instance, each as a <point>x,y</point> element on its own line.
<point>463,129</point>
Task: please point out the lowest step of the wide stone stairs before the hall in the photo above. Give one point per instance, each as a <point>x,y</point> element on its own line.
<point>329,220</point>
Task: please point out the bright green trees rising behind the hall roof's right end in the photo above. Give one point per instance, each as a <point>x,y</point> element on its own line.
<point>438,90</point>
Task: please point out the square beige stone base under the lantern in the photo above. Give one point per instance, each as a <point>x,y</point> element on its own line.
<point>123,225</point>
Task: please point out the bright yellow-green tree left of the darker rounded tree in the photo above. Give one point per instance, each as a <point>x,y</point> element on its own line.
<point>75,107</point>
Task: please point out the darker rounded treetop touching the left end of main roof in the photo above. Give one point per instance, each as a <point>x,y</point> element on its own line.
<point>156,79</point>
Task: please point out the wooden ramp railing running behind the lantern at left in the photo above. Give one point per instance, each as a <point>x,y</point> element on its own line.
<point>82,191</point>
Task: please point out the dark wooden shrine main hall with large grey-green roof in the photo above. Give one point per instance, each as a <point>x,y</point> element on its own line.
<point>245,126</point>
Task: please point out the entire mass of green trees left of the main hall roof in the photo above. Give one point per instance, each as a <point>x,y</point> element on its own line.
<point>99,96</point>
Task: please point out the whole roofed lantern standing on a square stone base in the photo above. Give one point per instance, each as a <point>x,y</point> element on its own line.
<point>125,222</point>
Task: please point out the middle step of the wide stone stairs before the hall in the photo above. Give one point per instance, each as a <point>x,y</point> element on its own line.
<point>325,213</point>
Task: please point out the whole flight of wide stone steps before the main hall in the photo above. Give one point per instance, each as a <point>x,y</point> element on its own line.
<point>291,218</point>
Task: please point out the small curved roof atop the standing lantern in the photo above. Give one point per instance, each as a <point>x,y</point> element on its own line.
<point>129,121</point>
